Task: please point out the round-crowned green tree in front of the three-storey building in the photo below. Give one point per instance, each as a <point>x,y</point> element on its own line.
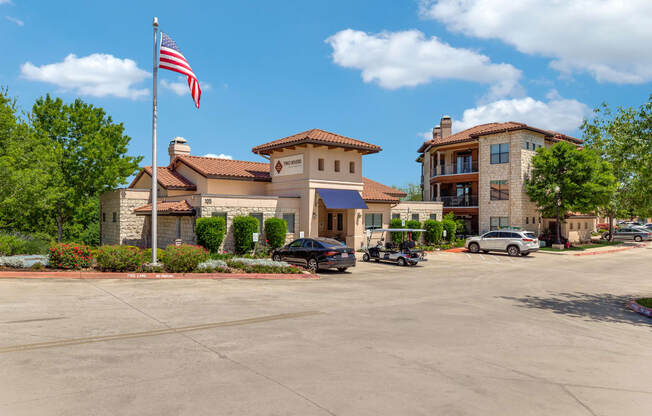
<point>565,179</point>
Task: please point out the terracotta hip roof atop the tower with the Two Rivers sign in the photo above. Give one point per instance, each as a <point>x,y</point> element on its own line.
<point>317,136</point>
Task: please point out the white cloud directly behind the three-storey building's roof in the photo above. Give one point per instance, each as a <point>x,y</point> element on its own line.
<point>558,114</point>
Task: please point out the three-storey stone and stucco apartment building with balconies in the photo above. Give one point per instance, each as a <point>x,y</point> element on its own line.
<point>479,173</point>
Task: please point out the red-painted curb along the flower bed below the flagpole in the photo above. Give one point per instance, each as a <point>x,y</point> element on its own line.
<point>154,276</point>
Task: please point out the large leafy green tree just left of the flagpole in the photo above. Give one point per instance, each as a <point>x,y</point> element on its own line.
<point>84,153</point>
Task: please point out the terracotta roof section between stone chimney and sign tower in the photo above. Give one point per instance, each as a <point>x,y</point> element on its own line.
<point>224,168</point>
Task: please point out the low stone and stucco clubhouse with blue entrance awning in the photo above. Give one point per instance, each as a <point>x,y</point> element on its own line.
<point>312,179</point>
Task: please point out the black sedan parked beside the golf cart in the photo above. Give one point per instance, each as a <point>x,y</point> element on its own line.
<point>317,253</point>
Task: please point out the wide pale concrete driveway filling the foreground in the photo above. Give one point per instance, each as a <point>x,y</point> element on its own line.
<point>459,335</point>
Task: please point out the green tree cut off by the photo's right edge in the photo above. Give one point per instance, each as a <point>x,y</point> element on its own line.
<point>624,139</point>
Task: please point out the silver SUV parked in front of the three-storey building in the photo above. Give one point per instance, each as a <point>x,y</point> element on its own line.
<point>514,242</point>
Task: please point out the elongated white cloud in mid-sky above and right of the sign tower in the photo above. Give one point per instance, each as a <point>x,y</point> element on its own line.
<point>408,58</point>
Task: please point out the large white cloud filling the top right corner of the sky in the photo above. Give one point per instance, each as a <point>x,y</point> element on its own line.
<point>610,39</point>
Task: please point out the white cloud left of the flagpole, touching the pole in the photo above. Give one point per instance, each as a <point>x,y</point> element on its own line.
<point>96,75</point>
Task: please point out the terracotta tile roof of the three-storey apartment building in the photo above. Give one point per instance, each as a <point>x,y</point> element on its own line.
<point>473,133</point>
